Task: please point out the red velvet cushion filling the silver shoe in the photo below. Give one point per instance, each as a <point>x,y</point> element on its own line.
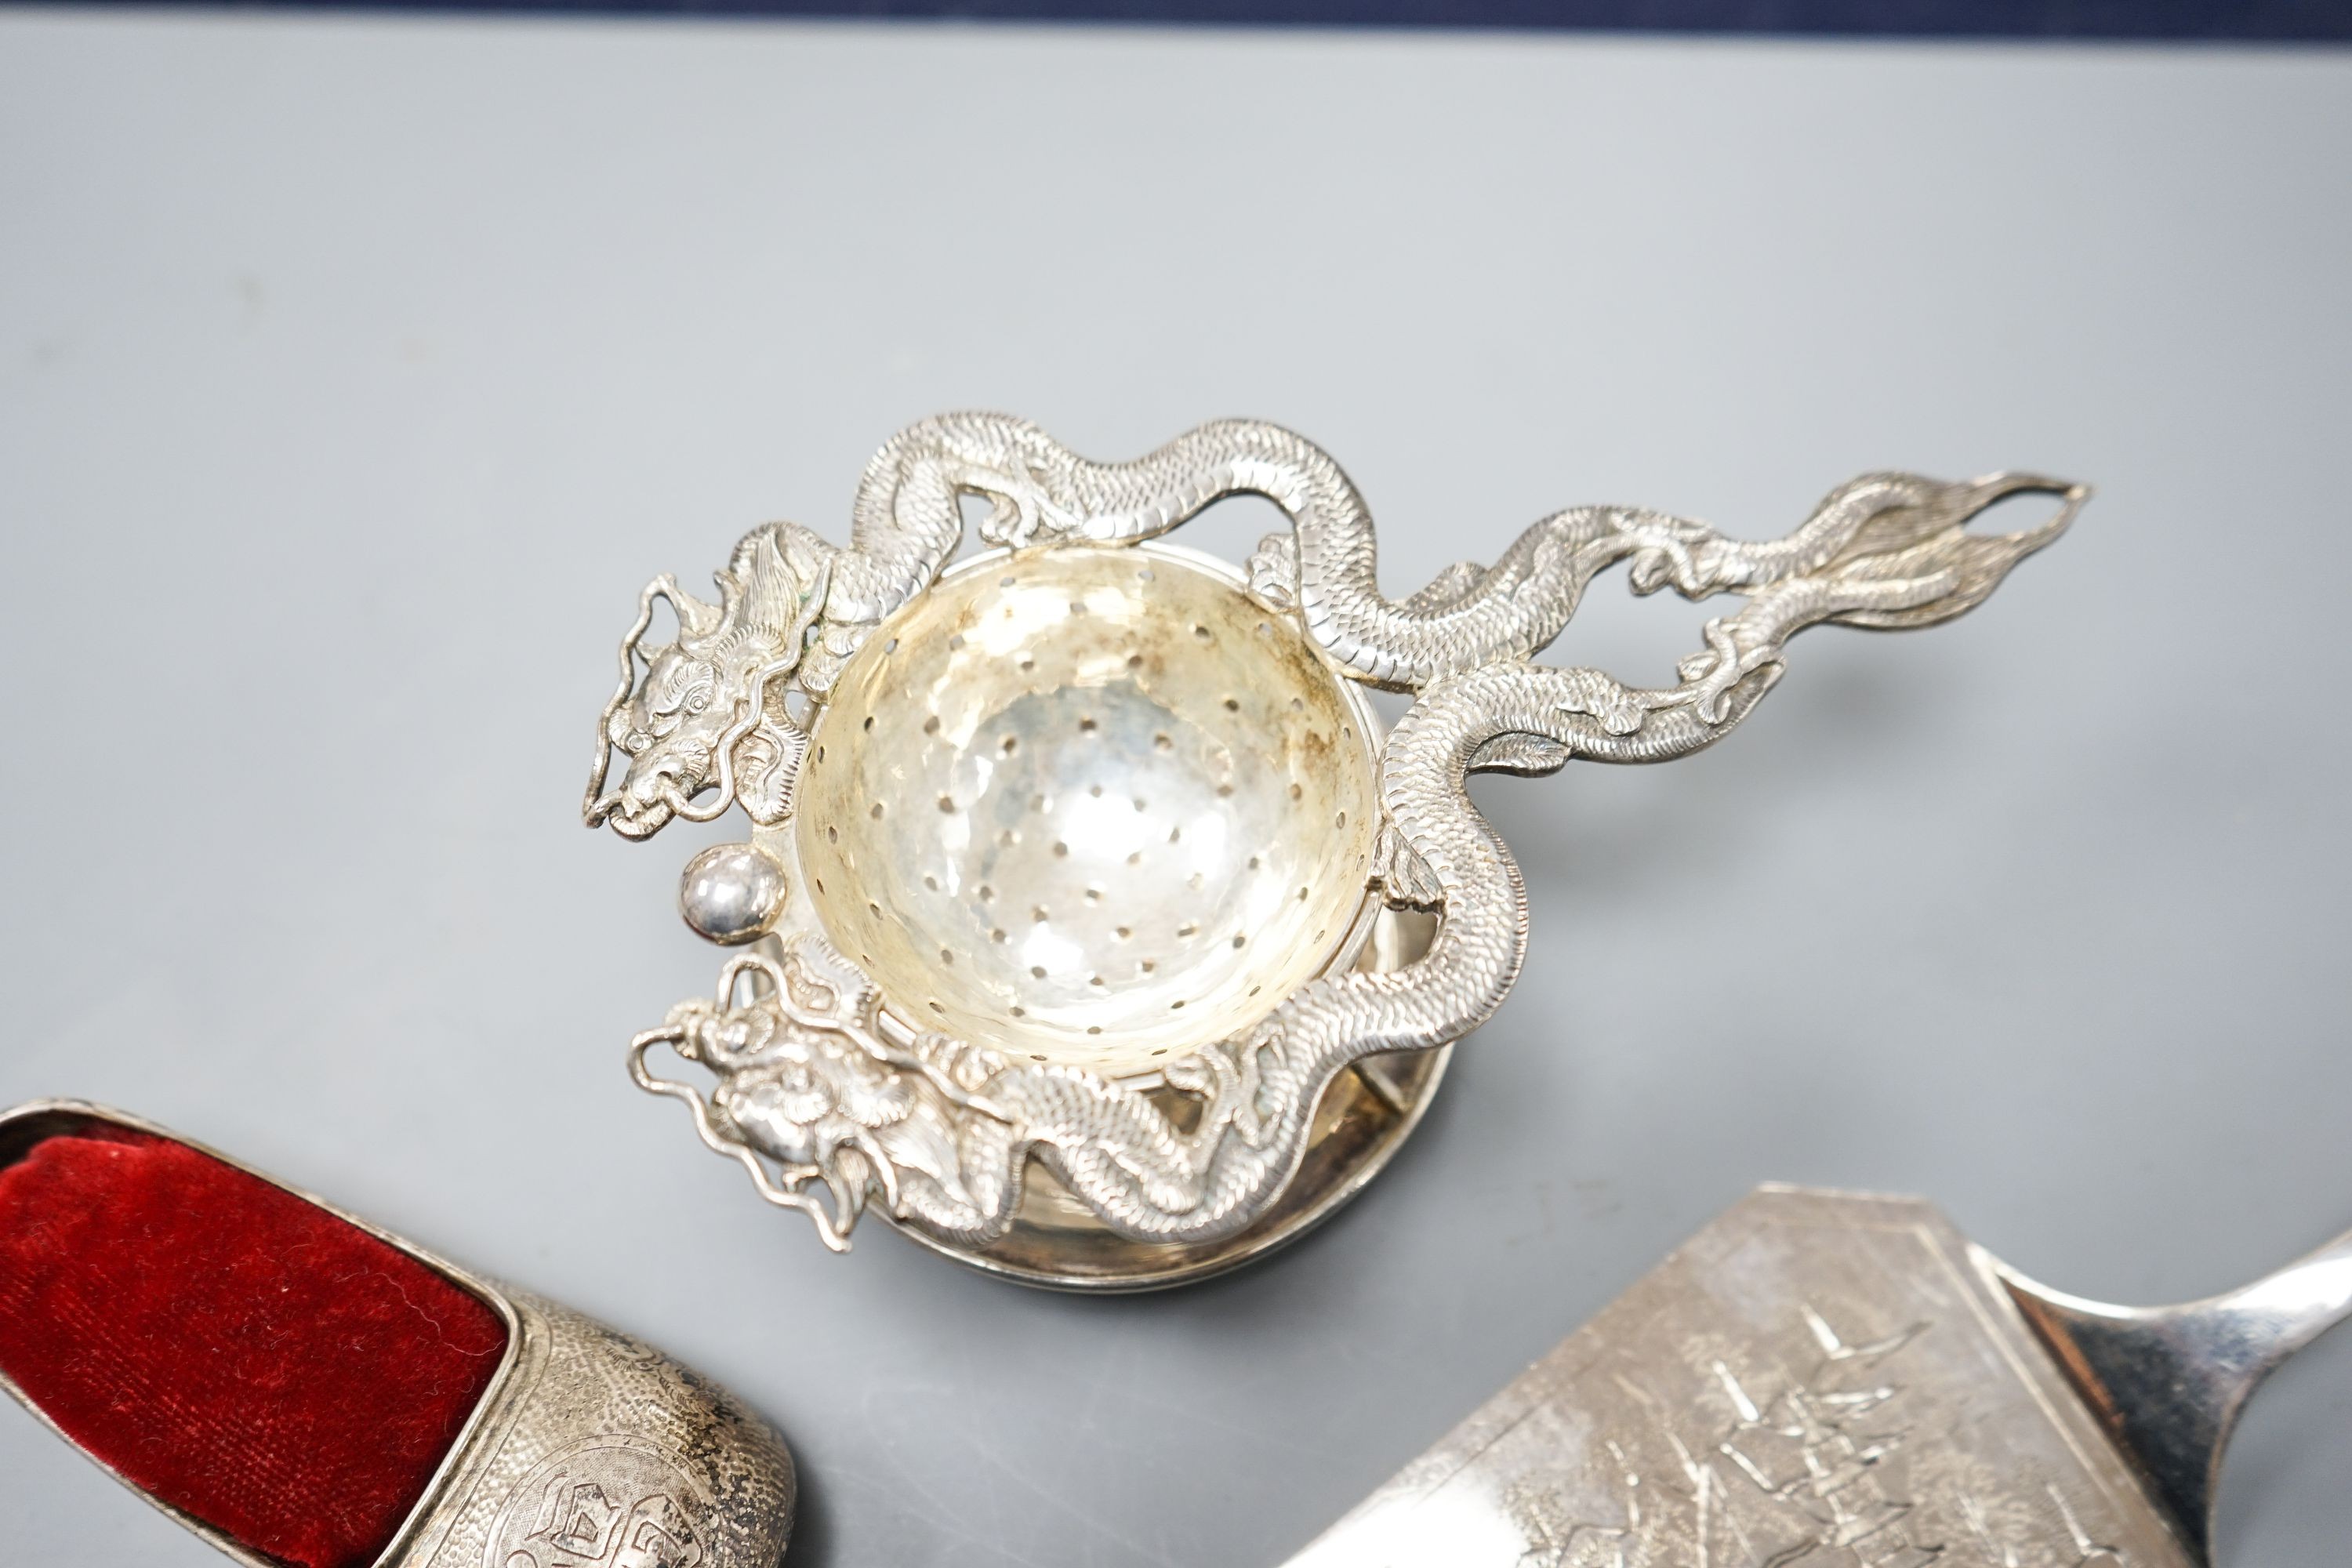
<point>229,1348</point>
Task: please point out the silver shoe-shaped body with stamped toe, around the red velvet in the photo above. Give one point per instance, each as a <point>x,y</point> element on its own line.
<point>589,1452</point>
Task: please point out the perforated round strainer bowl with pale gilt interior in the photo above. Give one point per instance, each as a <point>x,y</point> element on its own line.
<point>1090,805</point>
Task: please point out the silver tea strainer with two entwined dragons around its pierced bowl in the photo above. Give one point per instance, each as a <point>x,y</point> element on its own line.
<point>987,960</point>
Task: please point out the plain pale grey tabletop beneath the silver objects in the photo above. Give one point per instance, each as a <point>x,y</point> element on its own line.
<point>354,377</point>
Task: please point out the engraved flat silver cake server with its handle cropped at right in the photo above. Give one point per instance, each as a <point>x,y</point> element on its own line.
<point>1840,1381</point>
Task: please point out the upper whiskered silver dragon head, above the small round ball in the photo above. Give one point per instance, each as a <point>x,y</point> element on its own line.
<point>702,718</point>
